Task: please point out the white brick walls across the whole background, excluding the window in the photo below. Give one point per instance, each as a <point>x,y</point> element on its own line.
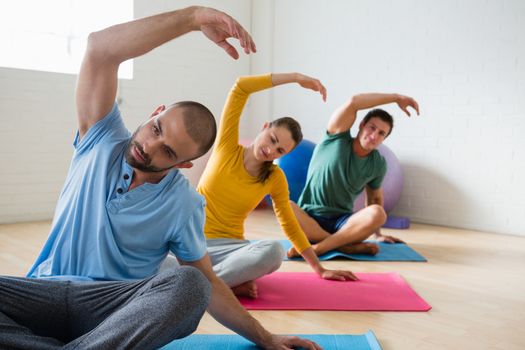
<point>463,60</point>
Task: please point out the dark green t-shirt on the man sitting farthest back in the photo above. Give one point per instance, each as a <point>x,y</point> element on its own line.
<point>336,176</point>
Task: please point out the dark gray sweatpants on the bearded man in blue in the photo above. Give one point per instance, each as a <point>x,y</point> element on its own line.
<point>143,314</point>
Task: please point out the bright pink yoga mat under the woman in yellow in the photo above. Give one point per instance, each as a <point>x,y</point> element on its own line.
<point>306,291</point>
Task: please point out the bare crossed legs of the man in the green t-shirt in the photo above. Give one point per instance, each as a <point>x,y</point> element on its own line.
<point>349,238</point>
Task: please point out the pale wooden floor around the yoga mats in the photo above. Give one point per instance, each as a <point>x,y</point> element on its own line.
<point>474,281</point>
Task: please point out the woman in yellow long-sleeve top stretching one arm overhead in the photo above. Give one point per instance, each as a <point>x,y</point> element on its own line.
<point>237,178</point>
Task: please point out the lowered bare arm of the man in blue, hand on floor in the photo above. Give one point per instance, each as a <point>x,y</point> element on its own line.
<point>227,310</point>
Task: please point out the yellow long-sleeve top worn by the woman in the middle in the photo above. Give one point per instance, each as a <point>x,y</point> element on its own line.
<point>231,193</point>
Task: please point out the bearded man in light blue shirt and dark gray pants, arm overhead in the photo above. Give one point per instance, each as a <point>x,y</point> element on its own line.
<point>124,206</point>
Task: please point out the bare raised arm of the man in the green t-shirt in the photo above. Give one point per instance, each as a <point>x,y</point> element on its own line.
<point>344,117</point>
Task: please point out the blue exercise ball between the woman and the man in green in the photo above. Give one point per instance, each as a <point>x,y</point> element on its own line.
<point>295,167</point>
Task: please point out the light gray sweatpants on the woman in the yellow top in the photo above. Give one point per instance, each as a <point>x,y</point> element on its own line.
<point>237,261</point>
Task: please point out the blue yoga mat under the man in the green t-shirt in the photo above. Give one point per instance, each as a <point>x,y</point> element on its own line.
<point>387,252</point>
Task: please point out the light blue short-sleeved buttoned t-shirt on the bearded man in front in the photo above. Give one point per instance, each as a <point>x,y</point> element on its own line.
<point>101,231</point>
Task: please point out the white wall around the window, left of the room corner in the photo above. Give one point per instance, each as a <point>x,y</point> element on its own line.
<point>38,121</point>
